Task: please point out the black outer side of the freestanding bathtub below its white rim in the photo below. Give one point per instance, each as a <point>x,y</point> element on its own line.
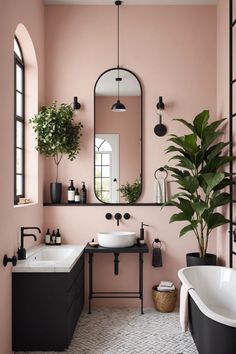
<point>210,337</point>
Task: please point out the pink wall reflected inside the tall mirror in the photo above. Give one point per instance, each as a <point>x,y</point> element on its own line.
<point>128,126</point>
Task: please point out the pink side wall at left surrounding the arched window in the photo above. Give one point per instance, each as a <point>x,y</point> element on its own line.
<point>31,15</point>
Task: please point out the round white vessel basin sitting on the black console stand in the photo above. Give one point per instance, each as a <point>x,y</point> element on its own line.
<point>116,239</point>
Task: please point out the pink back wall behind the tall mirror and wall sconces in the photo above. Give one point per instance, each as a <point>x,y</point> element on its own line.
<point>80,45</point>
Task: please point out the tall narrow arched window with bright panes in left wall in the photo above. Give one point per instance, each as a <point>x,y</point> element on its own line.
<point>19,122</point>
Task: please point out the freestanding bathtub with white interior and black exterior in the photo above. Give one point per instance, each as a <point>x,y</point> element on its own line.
<point>212,308</point>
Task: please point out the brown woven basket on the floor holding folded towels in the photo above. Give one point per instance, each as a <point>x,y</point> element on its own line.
<point>164,301</point>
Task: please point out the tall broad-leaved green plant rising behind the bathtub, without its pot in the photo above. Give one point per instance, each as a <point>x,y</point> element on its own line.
<point>200,177</point>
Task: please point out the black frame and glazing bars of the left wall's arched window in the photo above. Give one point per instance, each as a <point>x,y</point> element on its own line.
<point>19,62</point>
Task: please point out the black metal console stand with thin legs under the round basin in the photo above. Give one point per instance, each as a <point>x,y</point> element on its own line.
<point>139,249</point>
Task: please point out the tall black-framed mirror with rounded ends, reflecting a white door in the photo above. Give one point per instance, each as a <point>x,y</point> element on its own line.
<point>117,137</point>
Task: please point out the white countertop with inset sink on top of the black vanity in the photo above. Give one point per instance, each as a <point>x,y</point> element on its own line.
<point>38,259</point>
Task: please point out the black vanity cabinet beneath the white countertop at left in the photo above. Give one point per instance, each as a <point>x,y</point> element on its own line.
<point>45,308</point>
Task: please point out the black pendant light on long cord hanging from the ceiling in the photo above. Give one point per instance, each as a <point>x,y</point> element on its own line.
<point>118,106</point>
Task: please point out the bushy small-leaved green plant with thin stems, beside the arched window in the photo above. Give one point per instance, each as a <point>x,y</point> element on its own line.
<point>56,133</point>
